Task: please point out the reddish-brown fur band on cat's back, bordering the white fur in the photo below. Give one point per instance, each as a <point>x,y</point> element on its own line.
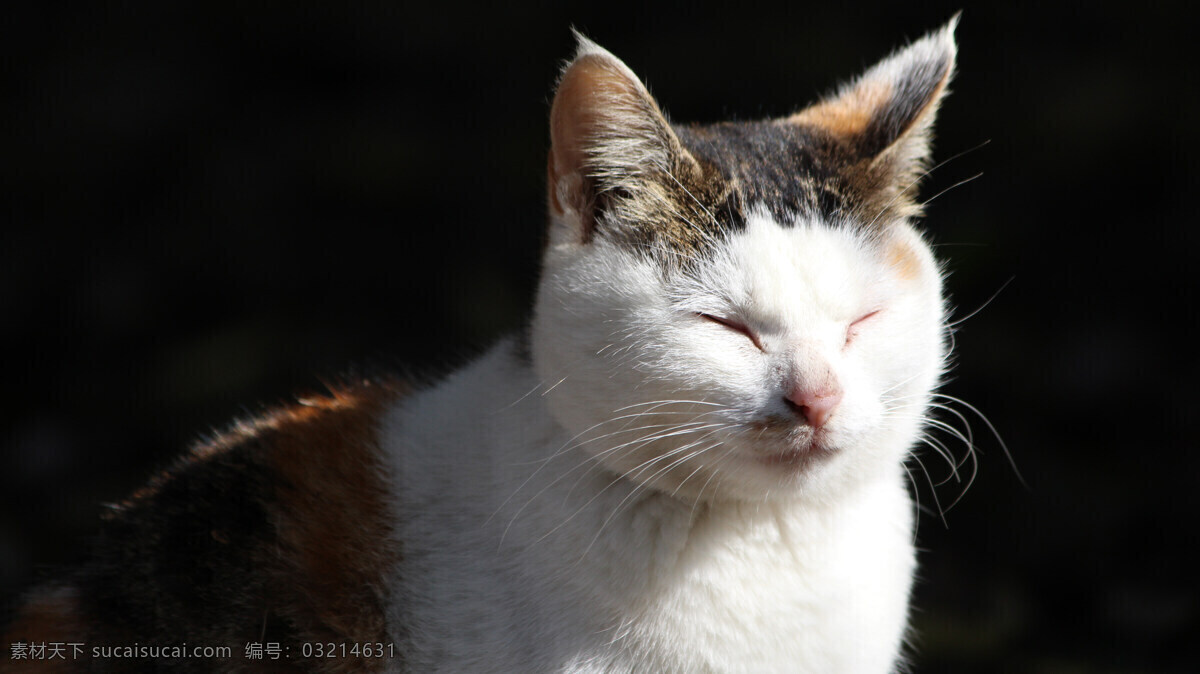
<point>335,528</point>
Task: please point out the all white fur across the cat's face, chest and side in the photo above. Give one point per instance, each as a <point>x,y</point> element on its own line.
<point>610,508</point>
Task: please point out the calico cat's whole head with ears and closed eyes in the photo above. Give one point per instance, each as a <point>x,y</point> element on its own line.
<point>742,310</point>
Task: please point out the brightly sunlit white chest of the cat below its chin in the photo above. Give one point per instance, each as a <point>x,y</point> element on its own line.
<point>764,603</point>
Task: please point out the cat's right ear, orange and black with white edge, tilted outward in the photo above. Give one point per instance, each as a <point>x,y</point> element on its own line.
<point>885,117</point>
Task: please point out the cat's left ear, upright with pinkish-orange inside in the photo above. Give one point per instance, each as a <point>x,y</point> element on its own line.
<point>608,139</point>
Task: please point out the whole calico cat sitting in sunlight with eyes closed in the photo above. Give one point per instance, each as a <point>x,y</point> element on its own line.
<point>691,461</point>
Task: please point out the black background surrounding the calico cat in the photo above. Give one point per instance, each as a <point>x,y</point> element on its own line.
<point>213,207</point>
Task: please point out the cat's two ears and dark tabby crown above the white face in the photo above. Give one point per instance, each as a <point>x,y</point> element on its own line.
<point>620,171</point>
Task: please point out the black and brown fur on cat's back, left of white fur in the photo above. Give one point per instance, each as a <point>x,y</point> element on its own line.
<point>278,531</point>
